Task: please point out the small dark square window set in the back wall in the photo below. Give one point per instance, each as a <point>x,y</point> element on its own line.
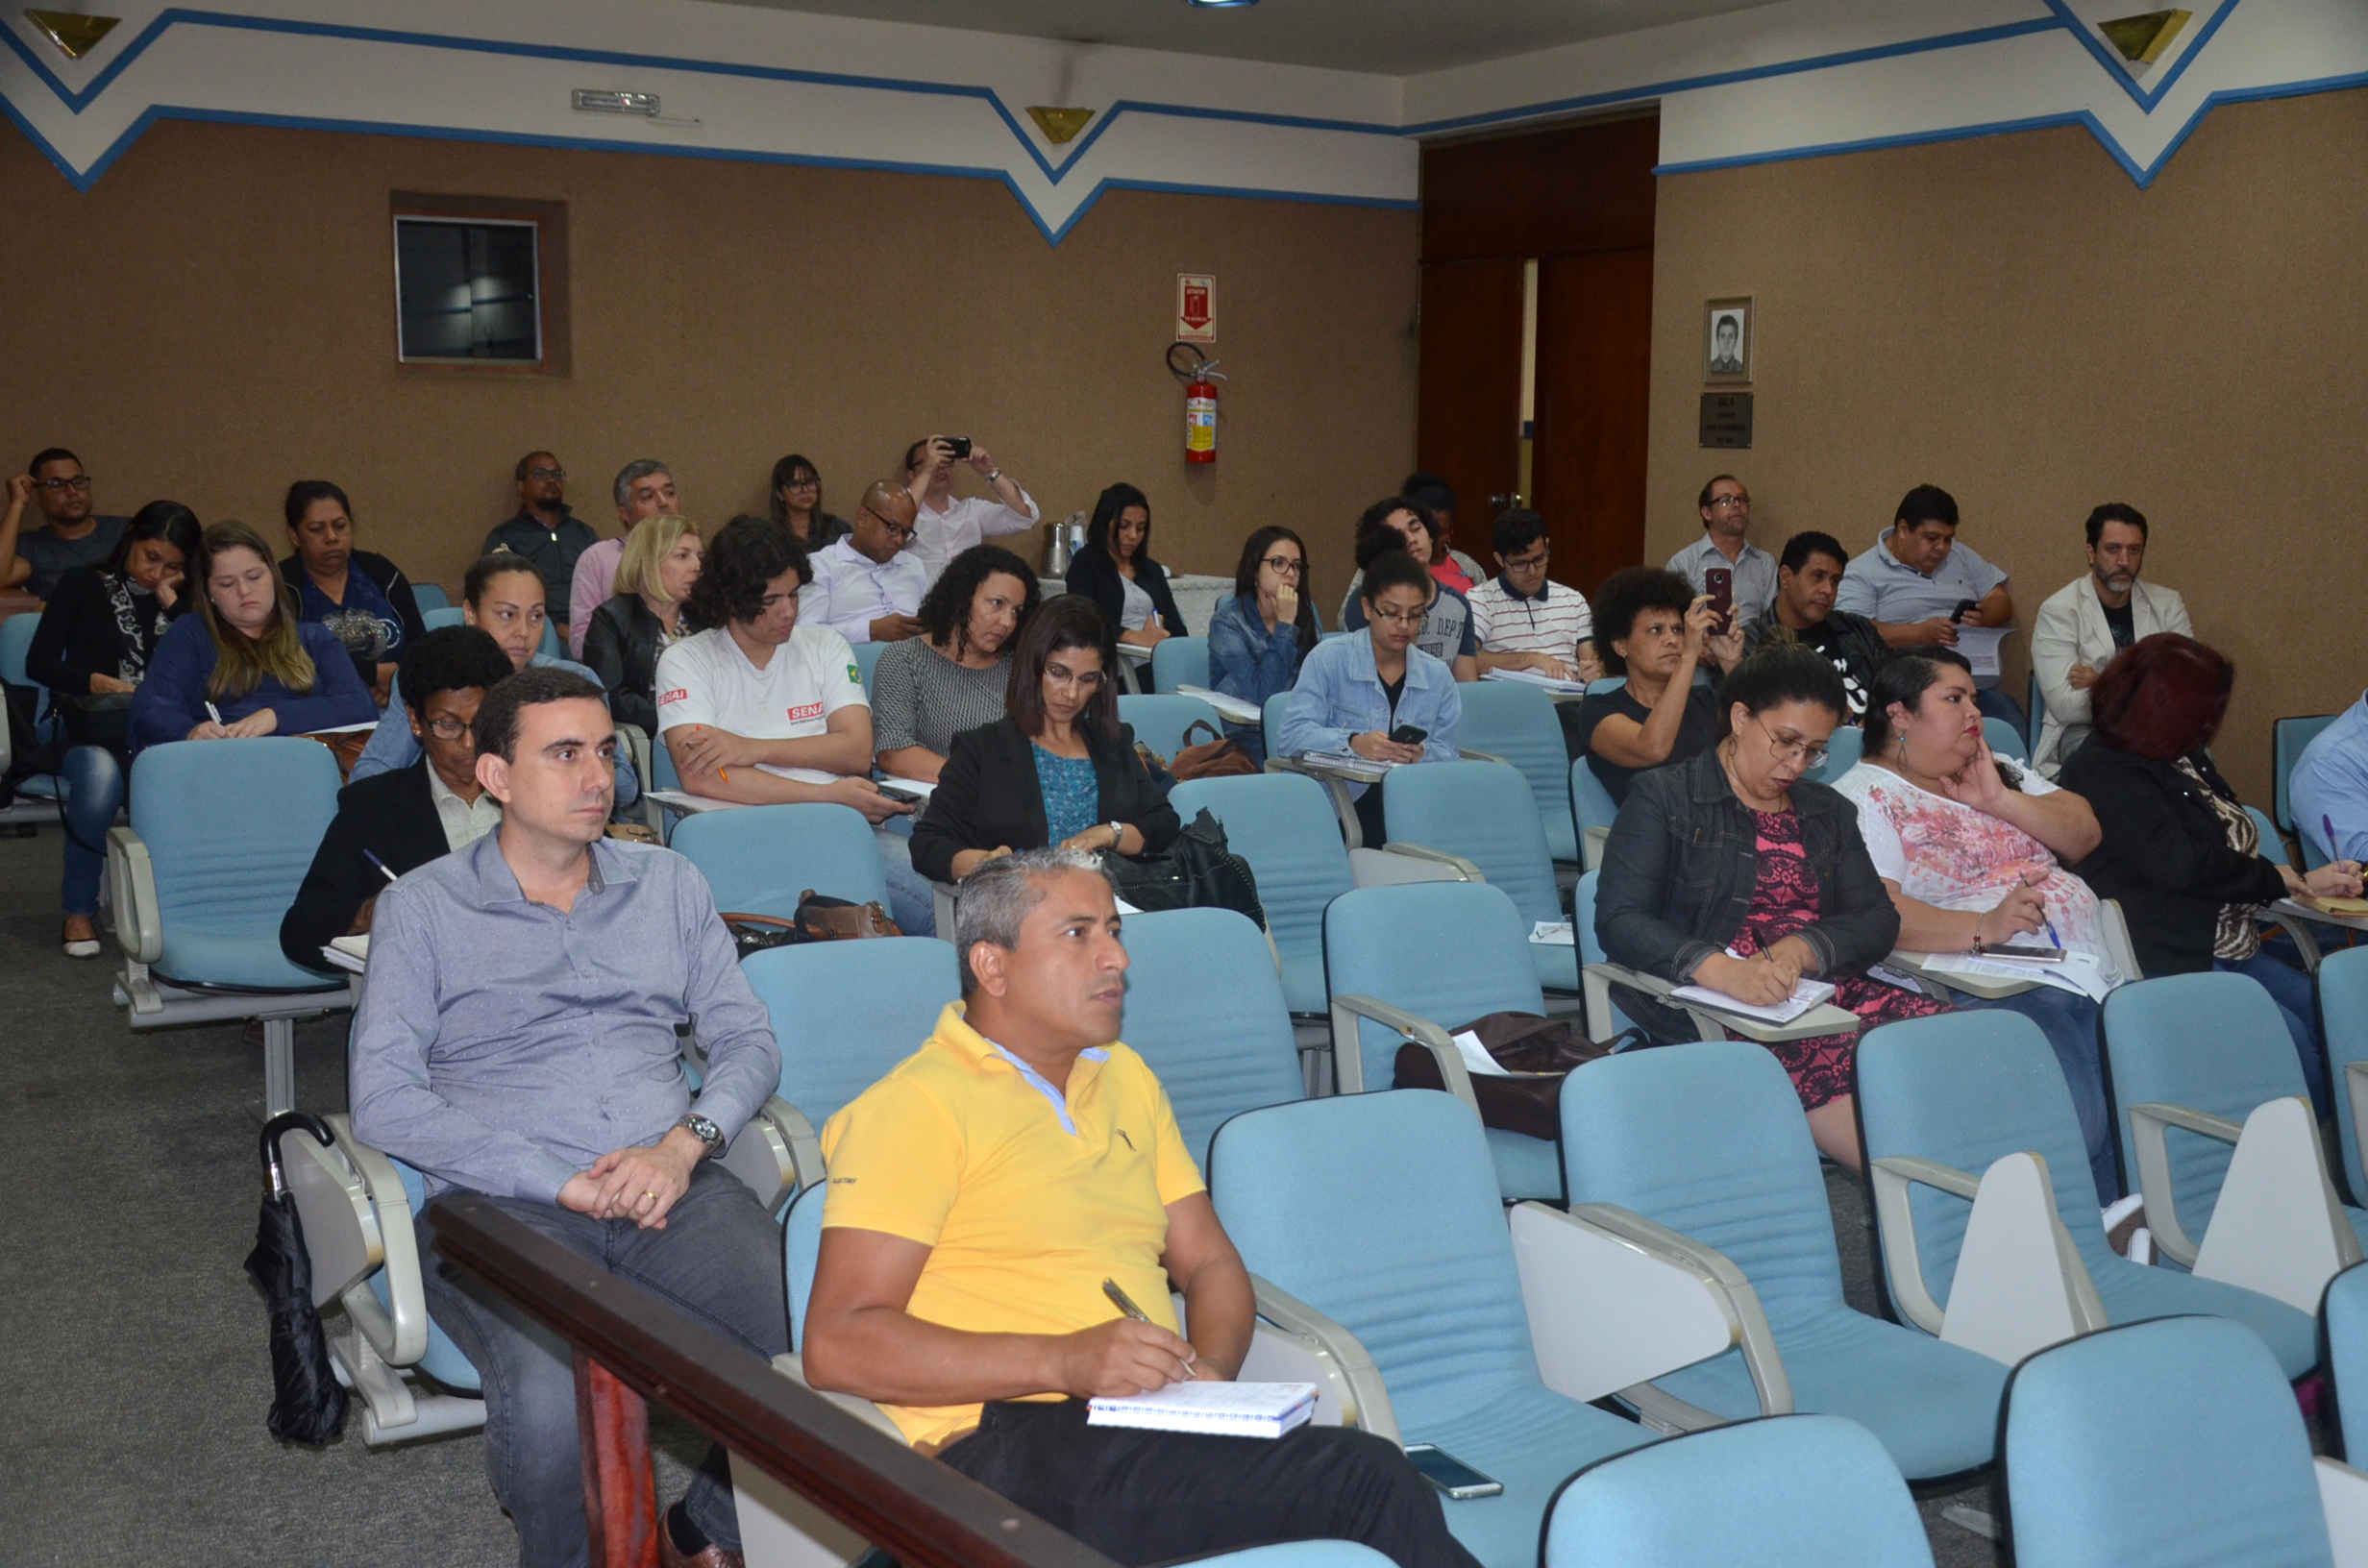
<point>482,283</point>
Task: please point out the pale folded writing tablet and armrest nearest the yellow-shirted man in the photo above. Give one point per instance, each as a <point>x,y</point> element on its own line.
<point>1619,1302</point>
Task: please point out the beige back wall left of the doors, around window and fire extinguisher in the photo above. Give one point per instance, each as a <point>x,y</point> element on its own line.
<point>217,319</point>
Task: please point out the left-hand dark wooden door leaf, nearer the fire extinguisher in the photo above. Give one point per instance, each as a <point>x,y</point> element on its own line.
<point>1469,392</point>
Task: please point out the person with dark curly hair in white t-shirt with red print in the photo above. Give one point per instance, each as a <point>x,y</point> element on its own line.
<point>766,712</point>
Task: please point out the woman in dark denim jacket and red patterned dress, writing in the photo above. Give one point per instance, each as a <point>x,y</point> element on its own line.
<point>1737,873</point>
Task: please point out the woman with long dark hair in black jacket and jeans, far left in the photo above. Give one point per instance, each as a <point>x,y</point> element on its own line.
<point>94,650</point>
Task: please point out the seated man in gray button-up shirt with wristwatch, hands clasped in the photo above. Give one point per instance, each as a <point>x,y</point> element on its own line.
<point>517,1039</point>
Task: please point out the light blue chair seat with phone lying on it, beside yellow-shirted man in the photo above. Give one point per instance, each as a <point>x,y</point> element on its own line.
<point>1533,1441</point>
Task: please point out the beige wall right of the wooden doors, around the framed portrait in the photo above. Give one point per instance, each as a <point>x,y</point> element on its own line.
<point>2016,321</point>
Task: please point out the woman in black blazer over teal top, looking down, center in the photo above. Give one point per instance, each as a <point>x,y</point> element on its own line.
<point>1057,771</point>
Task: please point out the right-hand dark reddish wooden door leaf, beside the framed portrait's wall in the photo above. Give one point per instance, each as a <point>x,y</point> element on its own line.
<point>1595,373</point>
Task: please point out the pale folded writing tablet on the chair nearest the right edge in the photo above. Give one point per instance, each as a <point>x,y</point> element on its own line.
<point>2277,1226</point>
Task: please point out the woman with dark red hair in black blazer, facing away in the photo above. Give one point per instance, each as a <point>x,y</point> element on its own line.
<point>2182,852</point>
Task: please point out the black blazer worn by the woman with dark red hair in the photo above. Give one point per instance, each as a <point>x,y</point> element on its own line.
<point>2166,856</point>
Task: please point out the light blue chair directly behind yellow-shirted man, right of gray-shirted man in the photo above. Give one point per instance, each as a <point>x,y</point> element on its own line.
<point>842,1015</point>
